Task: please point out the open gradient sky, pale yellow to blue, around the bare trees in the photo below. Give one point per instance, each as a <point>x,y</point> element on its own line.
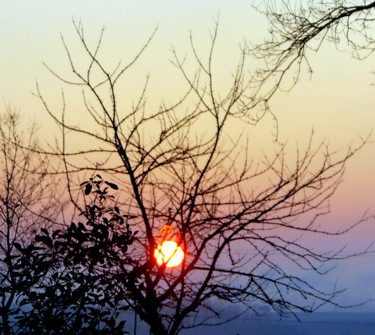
<point>338,101</point>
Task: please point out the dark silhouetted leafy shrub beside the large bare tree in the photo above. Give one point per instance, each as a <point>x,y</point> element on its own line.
<point>67,277</point>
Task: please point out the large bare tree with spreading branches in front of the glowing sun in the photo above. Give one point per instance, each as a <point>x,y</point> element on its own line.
<point>202,189</point>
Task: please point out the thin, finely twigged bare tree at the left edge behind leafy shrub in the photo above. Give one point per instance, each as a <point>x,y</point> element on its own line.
<point>27,203</point>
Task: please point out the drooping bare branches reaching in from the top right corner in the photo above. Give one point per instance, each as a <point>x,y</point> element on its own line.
<point>299,27</point>
